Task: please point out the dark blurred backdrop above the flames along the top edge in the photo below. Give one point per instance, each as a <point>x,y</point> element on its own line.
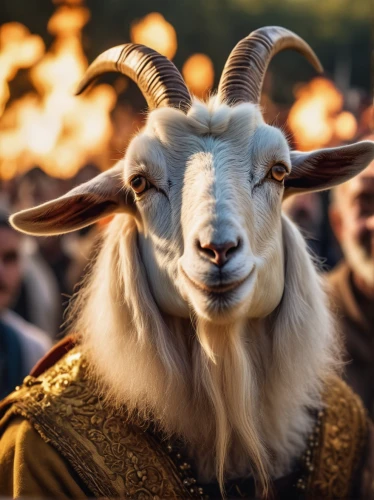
<point>340,31</point>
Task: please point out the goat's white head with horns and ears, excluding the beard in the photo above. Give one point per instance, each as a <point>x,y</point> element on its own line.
<point>204,183</point>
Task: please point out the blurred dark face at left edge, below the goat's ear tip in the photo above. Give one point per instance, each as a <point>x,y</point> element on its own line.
<point>10,265</point>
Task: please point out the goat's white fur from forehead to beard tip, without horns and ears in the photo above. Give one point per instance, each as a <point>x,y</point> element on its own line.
<point>236,382</point>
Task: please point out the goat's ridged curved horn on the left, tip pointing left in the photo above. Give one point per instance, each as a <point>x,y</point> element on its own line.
<point>157,77</point>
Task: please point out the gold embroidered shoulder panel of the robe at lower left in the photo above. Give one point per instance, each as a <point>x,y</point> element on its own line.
<point>112,457</point>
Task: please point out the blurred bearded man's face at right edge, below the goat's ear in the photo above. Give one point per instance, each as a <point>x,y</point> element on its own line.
<point>352,219</point>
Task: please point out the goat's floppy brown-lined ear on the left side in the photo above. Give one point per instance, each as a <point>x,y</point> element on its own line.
<point>80,207</point>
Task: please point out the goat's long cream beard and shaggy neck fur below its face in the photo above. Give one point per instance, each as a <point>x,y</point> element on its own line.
<point>240,393</point>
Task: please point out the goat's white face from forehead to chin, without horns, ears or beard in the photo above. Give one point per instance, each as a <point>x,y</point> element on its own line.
<point>209,215</point>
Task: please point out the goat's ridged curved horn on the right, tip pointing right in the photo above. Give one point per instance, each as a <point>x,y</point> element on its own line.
<point>245,69</point>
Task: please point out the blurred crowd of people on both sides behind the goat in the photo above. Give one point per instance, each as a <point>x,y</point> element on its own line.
<point>38,276</point>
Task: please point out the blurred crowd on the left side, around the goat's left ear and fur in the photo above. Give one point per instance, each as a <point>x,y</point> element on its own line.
<point>37,275</point>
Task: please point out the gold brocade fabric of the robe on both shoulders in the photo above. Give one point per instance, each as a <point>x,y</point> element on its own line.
<point>117,458</point>
